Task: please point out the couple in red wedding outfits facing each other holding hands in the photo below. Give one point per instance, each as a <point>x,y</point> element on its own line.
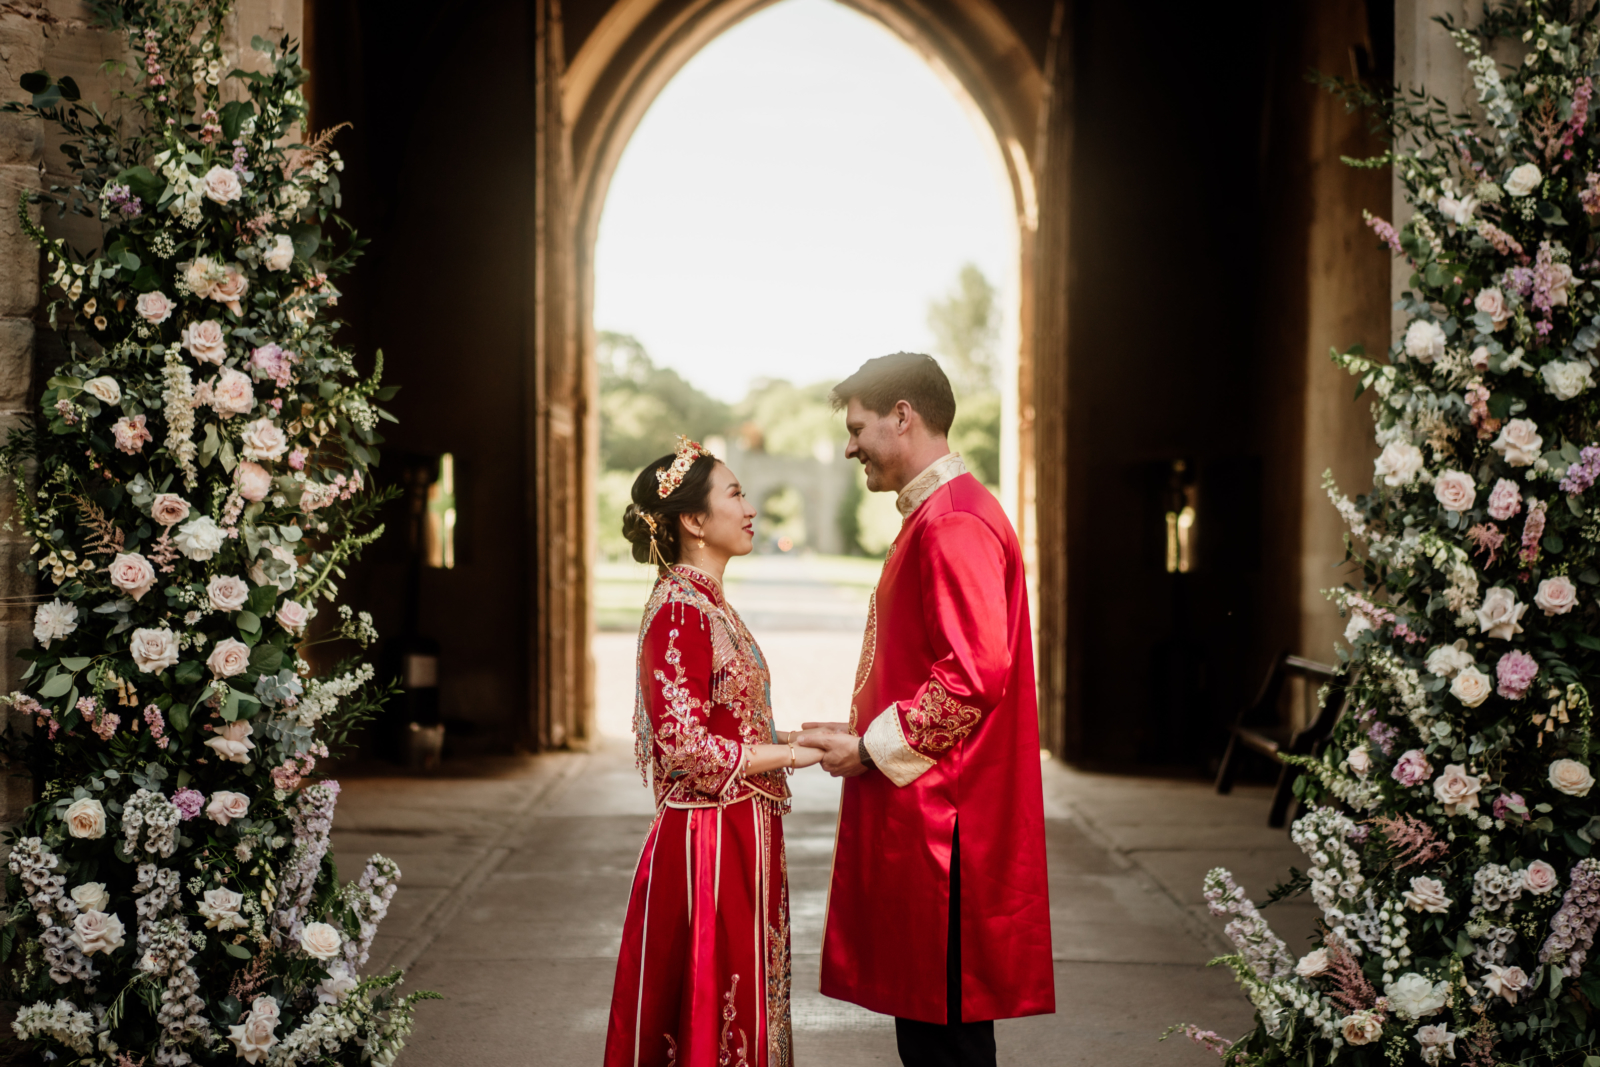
<point>938,911</point>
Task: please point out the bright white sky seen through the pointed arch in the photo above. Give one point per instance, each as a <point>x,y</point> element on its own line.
<point>794,199</point>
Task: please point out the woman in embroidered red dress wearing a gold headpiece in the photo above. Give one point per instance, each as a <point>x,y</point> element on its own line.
<point>703,978</point>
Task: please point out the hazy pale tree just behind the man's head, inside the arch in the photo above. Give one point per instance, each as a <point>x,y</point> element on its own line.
<point>966,327</point>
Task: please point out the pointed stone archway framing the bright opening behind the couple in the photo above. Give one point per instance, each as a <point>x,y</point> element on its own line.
<point>588,111</point>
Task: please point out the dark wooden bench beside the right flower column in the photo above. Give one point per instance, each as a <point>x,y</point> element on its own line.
<point>1273,740</point>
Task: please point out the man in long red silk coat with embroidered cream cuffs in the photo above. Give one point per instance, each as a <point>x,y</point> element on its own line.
<point>938,911</point>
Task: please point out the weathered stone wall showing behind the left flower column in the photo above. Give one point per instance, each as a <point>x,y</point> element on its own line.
<point>55,36</point>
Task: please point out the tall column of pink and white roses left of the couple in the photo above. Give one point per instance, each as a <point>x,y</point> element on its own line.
<point>191,489</point>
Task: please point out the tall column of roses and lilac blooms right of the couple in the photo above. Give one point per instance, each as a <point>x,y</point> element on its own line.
<point>1452,821</point>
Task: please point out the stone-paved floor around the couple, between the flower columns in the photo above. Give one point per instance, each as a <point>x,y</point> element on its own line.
<point>516,874</point>
